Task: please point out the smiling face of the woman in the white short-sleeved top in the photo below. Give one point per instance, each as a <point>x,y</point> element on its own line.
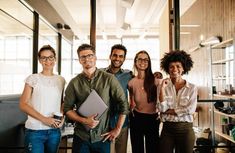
<point>47,59</point>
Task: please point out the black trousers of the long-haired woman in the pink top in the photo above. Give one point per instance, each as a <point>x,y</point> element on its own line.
<point>144,126</point>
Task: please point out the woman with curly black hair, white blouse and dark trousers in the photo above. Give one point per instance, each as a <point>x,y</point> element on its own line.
<point>177,103</point>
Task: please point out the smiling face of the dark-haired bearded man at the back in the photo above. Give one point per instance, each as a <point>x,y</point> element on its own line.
<point>117,58</point>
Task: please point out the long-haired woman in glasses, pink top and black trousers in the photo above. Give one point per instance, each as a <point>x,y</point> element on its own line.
<point>144,122</point>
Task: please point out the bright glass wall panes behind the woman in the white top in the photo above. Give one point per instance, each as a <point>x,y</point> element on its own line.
<point>16,46</point>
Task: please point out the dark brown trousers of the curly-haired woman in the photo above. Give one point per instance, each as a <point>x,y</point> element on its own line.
<point>177,135</point>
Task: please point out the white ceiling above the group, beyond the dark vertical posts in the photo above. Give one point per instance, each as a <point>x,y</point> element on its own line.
<point>115,17</point>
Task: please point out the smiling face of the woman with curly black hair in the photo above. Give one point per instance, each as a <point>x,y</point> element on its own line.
<point>175,69</point>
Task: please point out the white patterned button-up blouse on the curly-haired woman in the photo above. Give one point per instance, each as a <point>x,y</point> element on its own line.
<point>184,103</point>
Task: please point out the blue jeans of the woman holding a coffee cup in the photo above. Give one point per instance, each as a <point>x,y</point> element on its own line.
<point>42,141</point>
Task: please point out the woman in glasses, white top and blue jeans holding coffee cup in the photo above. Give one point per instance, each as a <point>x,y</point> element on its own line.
<point>41,98</point>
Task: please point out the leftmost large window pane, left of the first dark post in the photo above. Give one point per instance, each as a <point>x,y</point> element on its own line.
<point>15,46</point>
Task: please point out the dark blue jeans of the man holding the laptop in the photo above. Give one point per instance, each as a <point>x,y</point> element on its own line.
<point>81,146</point>
